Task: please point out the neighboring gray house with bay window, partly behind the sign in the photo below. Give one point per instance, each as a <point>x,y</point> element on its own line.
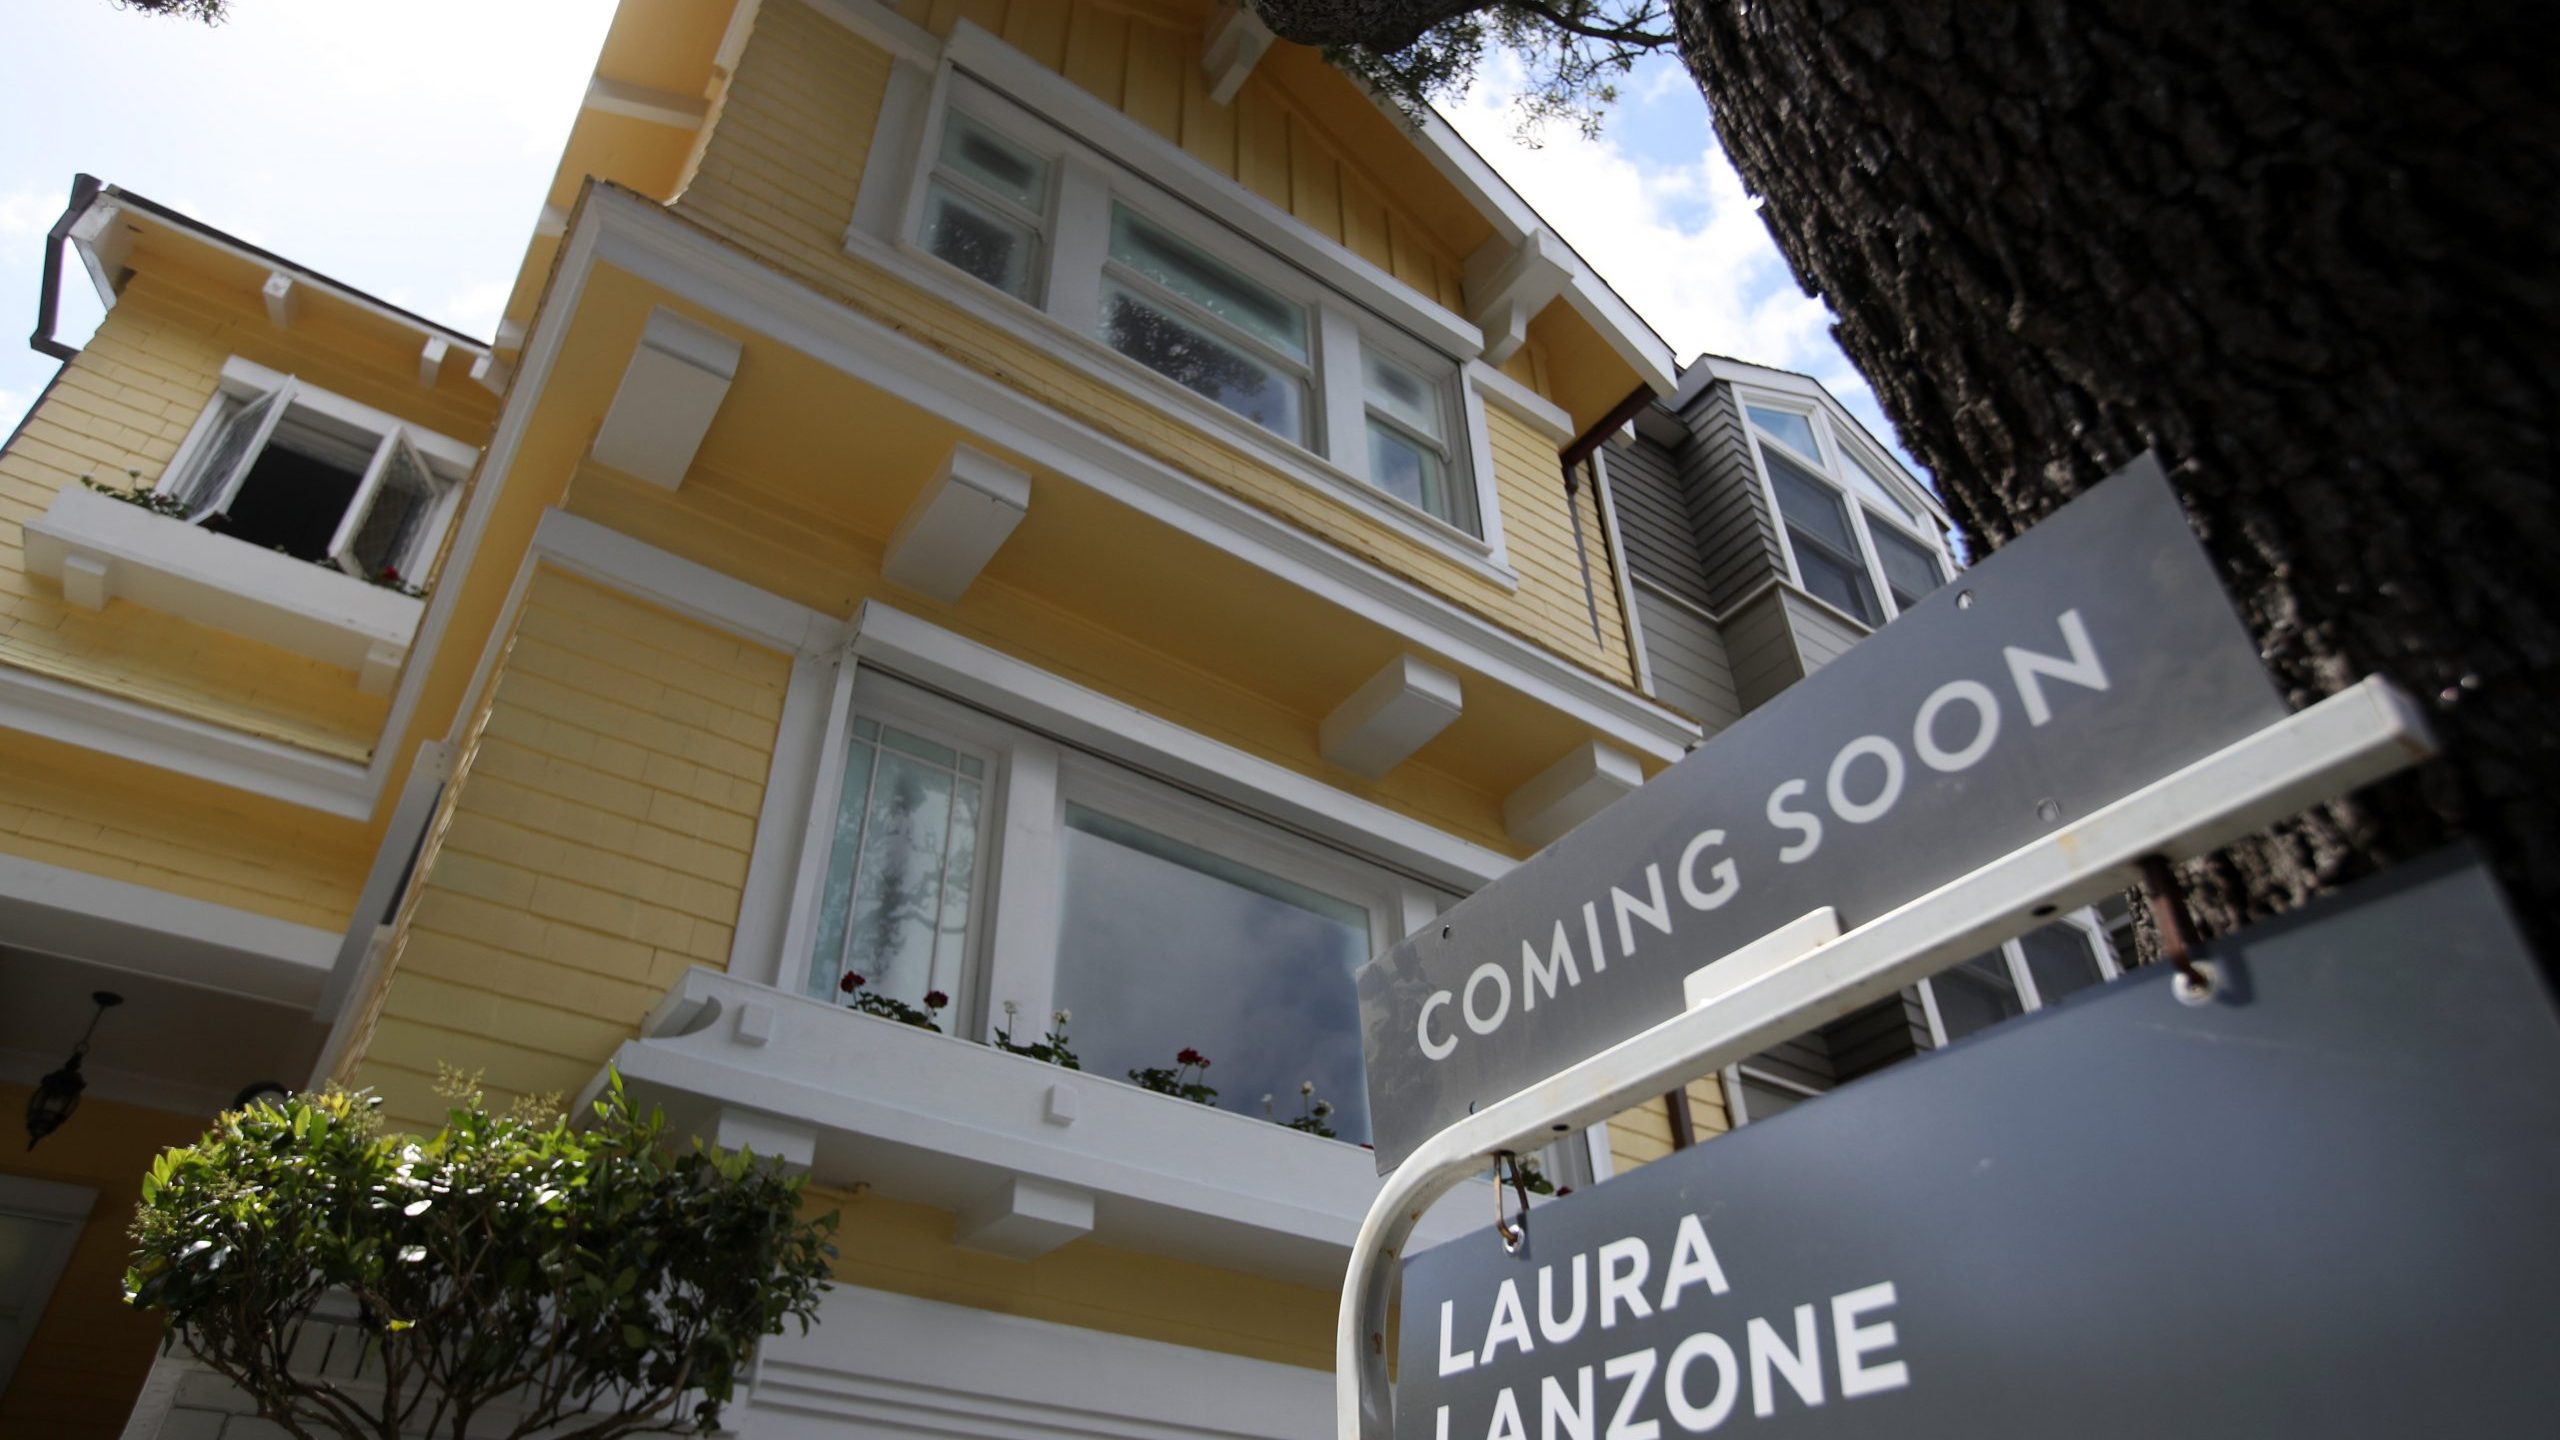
<point>1768,532</point>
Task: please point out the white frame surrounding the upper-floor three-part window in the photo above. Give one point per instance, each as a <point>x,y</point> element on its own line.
<point>1097,158</point>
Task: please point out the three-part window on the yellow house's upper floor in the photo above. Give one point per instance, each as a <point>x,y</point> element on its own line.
<point>1171,296</point>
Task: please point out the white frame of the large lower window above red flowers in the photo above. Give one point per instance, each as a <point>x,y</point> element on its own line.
<point>1012,944</point>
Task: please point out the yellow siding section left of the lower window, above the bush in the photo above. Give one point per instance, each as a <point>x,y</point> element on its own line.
<point>593,847</point>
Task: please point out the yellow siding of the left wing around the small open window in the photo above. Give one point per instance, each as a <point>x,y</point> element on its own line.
<point>119,414</point>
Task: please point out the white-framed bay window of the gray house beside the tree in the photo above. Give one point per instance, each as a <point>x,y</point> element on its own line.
<point>1855,539</point>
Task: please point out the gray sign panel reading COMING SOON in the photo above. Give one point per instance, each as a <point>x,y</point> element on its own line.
<point>2075,667</point>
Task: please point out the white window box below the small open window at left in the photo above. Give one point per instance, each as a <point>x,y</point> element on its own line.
<point>106,550</point>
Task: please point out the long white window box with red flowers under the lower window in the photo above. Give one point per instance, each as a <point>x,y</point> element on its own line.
<point>951,1124</point>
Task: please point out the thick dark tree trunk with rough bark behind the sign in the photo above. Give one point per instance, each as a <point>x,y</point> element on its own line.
<point>2308,258</point>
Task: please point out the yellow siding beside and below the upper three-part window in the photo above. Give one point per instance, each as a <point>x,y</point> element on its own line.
<point>780,181</point>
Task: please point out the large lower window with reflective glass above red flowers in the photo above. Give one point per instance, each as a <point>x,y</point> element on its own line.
<point>1166,921</point>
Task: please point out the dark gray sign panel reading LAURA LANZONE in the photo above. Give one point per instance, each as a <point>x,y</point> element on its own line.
<point>2321,1206</point>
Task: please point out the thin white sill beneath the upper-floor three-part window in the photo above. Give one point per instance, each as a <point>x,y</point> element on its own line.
<point>1120,373</point>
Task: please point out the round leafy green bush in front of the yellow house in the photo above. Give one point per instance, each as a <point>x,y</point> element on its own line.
<point>593,1280</point>
